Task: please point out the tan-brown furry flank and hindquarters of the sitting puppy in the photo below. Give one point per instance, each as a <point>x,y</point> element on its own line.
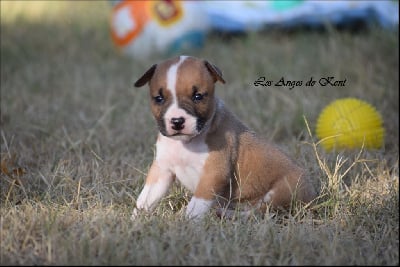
<point>243,168</point>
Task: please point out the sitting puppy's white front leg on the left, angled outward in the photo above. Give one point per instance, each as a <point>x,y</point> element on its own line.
<point>158,182</point>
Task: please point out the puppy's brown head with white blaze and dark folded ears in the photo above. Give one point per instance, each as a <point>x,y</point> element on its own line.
<point>182,95</point>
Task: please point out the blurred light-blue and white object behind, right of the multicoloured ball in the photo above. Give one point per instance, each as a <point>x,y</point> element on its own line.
<point>253,15</point>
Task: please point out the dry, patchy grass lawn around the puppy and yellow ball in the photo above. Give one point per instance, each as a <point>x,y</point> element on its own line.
<point>77,140</point>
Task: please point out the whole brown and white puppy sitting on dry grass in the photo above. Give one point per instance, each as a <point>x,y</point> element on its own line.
<point>203,145</point>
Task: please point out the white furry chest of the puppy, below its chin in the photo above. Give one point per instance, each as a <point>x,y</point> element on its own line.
<point>185,160</point>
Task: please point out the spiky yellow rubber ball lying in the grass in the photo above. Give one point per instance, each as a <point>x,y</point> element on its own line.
<point>350,123</point>
